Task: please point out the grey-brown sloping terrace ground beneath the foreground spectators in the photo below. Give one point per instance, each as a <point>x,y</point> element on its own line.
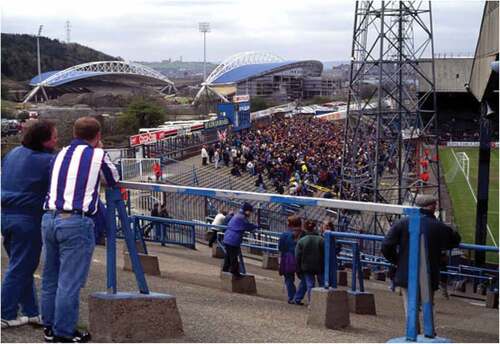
<point>210,314</point>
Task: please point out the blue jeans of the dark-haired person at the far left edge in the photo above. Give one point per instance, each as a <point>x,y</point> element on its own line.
<point>23,243</point>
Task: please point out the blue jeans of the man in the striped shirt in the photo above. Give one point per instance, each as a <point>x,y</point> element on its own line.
<point>68,244</point>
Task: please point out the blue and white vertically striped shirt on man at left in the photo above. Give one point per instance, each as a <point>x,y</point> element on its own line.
<point>74,181</point>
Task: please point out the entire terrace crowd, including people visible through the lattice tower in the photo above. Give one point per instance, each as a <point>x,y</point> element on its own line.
<point>299,155</point>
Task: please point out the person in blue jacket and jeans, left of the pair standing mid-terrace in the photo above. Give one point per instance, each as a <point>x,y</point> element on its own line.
<point>288,268</point>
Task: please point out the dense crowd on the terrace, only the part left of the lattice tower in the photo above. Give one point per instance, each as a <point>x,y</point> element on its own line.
<point>293,153</point>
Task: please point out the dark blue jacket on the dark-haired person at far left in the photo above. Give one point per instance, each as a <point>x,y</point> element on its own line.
<point>25,180</point>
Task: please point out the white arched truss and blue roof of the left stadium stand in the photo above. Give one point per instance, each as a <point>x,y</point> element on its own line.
<point>93,69</point>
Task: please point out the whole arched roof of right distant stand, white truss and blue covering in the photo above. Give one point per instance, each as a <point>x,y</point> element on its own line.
<point>247,65</point>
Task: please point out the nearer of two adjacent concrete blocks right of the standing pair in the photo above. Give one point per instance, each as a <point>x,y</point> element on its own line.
<point>329,308</point>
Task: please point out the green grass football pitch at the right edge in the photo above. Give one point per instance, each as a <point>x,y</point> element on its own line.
<point>464,205</point>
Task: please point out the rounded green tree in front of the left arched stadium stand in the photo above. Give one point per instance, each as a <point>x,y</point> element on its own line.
<point>142,113</point>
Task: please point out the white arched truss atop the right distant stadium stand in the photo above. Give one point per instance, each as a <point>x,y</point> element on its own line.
<point>241,59</point>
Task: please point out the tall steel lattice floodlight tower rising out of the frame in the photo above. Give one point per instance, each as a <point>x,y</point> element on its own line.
<point>390,152</point>
